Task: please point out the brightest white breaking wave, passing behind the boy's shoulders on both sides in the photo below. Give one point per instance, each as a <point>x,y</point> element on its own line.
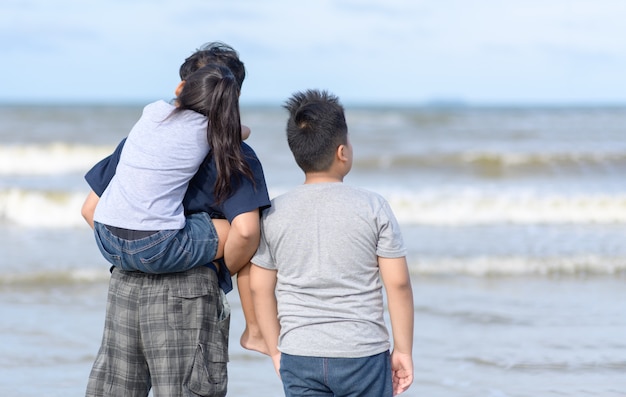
<point>452,207</point>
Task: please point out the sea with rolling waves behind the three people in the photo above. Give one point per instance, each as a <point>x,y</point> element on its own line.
<point>514,218</point>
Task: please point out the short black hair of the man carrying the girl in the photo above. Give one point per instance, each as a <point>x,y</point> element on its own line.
<point>214,52</point>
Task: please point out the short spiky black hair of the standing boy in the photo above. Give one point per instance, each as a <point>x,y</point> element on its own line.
<point>316,127</point>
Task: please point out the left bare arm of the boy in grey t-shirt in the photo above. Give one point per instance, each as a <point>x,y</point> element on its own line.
<point>262,285</point>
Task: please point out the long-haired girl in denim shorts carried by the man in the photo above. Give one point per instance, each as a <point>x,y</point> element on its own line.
<point>139,221</point>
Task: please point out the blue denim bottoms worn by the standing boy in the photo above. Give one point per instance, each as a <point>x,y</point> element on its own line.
<point>320,376</point>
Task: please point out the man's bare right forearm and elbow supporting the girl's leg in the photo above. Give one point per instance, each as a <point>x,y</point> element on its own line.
<point>243,240</point>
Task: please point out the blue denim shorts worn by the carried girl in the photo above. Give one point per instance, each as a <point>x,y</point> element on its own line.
<point>165,251</point>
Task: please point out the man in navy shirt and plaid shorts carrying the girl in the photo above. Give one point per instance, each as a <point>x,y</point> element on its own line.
<point>169,332</point>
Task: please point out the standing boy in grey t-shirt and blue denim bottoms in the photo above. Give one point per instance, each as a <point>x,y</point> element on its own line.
<point>316,276</point>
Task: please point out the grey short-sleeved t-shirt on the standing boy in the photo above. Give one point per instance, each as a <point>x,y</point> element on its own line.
<point>324,241</point>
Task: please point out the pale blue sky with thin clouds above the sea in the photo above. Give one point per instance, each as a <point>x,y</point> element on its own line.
<point>365,51</point>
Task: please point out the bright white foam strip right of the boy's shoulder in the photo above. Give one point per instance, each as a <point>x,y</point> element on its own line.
<point>475,206</point>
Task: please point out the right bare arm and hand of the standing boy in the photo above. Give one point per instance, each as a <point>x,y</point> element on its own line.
<point>395,275</point>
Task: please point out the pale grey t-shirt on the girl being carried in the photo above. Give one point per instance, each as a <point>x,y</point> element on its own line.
<point>160,156</point>
